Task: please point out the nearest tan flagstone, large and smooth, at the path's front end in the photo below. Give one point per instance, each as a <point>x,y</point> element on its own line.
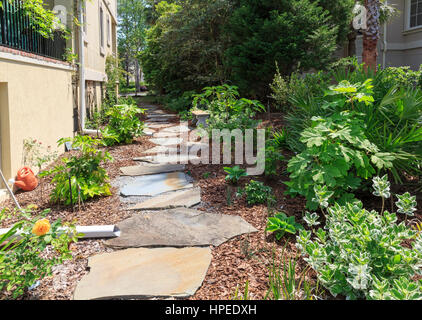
<point>136,273</point>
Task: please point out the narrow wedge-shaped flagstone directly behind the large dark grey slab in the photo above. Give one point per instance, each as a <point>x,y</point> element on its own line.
<point>183,198</point>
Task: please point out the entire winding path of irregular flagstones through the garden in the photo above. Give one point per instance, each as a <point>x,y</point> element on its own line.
<point>163,199</point>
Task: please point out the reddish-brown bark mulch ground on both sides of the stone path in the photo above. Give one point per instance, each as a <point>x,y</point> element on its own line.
<point>244,258</point>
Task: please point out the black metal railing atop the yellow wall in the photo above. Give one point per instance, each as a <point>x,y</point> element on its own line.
<point>17,31</point>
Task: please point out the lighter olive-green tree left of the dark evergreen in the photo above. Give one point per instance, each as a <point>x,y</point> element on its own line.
<point>186,44</point>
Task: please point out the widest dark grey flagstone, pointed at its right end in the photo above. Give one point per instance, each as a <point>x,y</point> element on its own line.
<point>180,227</point>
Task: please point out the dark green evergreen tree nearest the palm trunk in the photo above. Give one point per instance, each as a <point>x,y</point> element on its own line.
<point>292,33</point>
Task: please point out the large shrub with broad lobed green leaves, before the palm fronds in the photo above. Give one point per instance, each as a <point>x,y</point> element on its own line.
<point>338,155</point>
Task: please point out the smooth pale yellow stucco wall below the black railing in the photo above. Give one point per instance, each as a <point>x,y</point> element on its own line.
<point>36,101</point>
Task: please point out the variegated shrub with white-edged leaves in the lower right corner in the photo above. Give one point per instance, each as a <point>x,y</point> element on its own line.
<point>361,254</point>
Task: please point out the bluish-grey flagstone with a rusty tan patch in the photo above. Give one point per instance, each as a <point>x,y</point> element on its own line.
<point>153,185</point>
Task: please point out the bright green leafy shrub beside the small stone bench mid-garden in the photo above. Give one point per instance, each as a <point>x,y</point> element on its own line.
<point>227,111</point>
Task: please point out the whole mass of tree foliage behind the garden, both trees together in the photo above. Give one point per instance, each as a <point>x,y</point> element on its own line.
<point>197,43</point>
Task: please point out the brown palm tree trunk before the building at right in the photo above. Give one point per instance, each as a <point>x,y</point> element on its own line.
<point>371,35</point>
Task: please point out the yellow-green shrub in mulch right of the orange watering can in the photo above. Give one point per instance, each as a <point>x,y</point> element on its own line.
<point>81,176</point>
